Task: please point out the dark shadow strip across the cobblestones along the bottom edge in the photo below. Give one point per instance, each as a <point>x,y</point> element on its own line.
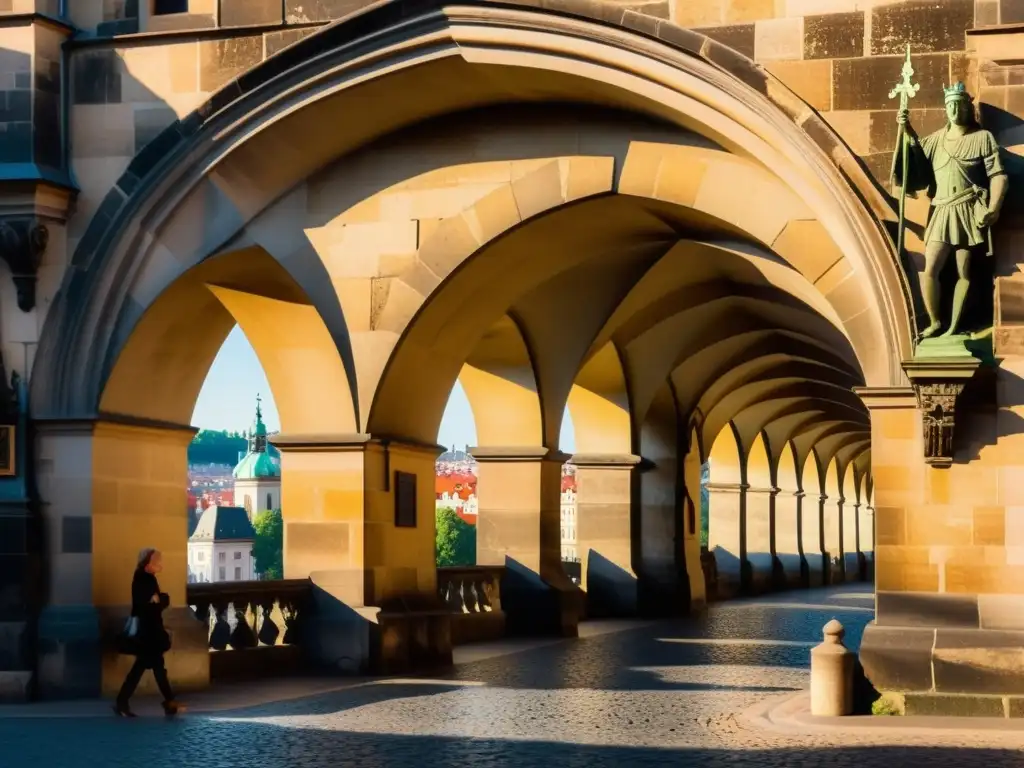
<point>157,745</point>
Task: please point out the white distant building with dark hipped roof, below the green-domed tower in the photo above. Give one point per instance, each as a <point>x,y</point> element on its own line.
<point>222,547</point>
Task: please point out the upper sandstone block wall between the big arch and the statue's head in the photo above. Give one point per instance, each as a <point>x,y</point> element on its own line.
<point>843,57</point>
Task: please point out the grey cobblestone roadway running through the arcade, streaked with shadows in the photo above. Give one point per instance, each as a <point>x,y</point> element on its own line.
<point>659,695</point>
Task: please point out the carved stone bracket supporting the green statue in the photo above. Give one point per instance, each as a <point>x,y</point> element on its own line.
<point>938,386</point>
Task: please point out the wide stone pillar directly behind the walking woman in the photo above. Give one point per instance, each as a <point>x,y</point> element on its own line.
<point>108,489</point>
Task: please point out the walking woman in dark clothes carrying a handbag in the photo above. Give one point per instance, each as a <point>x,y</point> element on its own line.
<point>151,639</point>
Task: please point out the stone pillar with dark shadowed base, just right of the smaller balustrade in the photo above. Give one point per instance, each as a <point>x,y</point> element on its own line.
<point>520,528</point>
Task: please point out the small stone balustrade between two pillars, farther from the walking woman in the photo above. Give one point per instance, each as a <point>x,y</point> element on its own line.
<point>474,594</point>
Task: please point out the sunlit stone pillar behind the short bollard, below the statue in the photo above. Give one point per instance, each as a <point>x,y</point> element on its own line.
<point>950,616</point>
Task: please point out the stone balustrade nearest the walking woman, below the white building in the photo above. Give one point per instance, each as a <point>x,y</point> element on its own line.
<point>249,622</point>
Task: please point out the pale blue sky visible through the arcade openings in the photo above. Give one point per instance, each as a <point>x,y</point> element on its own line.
<point>228,400</point>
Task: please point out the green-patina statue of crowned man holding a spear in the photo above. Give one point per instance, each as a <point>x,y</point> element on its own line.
<point>960,168</point>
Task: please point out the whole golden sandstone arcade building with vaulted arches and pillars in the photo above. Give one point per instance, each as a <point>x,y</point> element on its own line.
<point>673,219</point>
